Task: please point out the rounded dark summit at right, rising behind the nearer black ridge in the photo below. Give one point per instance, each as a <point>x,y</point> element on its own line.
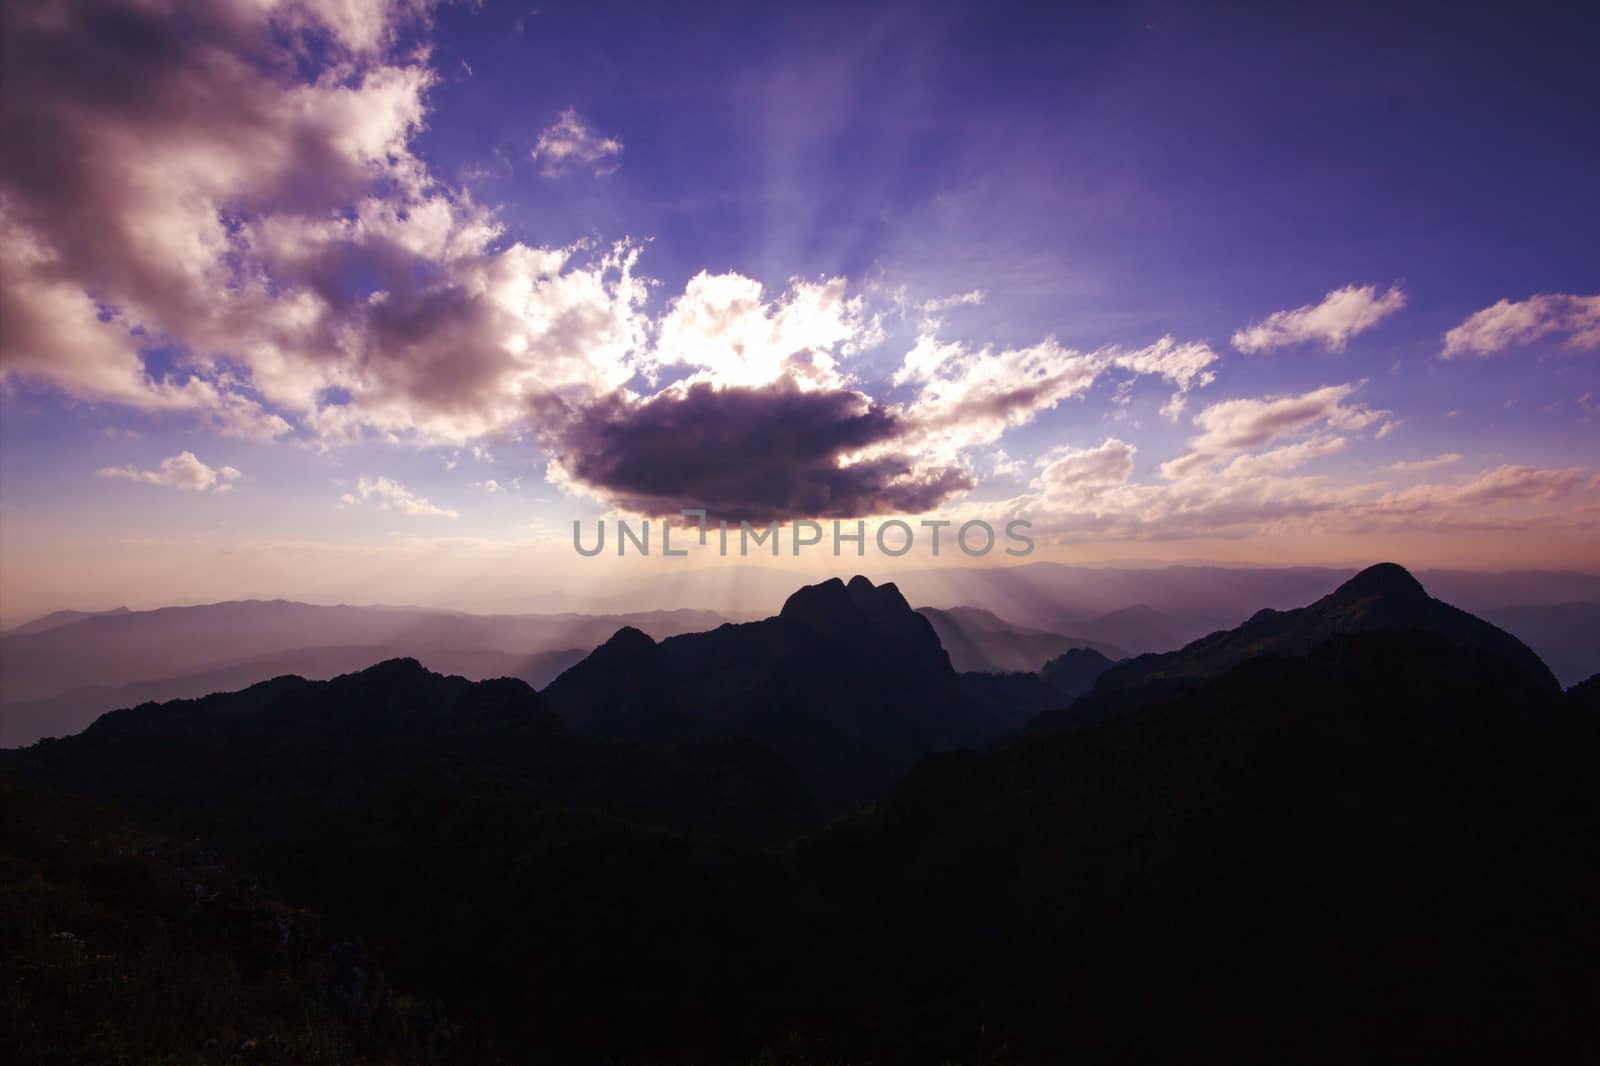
<point>1382,598</point>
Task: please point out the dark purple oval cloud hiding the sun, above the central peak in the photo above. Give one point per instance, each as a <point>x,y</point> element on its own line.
<point>750,454</point>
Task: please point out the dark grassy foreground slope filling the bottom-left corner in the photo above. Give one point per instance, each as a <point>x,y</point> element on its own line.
<point>113,928</point>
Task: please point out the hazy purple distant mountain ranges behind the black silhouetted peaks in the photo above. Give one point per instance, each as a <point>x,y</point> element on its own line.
<point>58,673</point>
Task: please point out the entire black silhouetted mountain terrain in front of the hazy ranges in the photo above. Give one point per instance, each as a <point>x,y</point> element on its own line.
<point>1359,832</point>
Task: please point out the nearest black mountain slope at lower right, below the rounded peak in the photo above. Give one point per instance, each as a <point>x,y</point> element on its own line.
<point>1390,841</point>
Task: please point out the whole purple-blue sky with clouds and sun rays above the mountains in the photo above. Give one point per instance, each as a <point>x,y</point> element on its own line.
<point>375,300</point>
